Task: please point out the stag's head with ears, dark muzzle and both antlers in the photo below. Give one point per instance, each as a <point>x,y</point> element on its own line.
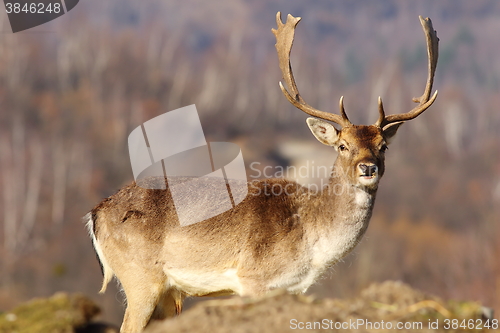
<point>360,148</point>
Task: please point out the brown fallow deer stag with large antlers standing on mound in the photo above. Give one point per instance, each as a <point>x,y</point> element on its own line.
<point>266,242</point>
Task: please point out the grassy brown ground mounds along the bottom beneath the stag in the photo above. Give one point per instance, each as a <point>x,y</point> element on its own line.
<point>381,307</point>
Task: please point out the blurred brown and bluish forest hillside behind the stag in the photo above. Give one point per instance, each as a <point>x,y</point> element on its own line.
<point>73,89</point>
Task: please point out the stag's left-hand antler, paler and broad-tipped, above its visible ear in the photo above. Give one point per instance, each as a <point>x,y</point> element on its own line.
<point>284,41</point>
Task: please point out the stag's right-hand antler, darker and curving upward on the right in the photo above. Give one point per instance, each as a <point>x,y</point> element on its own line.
<point>425,100</point>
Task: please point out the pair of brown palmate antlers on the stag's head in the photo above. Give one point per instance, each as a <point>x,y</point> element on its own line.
<point>284,41</point>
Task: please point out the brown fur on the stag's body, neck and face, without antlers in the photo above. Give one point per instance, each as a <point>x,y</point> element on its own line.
<point>268,235</point>
